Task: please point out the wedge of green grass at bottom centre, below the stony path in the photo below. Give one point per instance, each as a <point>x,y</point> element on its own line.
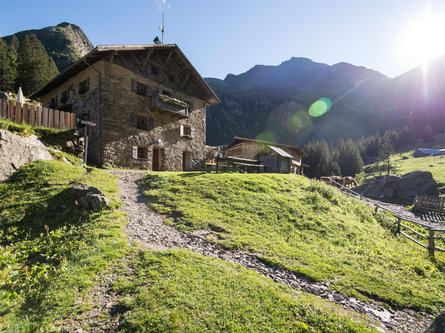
<point>180,291</point>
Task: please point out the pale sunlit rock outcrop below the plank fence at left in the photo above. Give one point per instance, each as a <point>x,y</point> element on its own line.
<point>16,150</point>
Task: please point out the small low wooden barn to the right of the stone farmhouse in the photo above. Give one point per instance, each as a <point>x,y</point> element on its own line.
<point>276,157</point>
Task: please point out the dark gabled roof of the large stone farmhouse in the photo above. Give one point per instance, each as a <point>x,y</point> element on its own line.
<point>101,51</point>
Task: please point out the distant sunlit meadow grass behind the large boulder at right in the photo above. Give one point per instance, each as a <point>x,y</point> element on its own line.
<point>405,162</point>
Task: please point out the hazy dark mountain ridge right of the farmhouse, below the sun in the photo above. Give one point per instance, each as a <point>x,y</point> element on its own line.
<point>272,102</point>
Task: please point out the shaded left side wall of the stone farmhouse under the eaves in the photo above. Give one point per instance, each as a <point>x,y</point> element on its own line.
<point>82,102</point>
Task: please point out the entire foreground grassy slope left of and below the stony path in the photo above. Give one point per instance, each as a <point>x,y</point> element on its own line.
<point>51,255</point>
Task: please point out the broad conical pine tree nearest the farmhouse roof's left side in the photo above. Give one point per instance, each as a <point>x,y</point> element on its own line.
<point>35,66</point>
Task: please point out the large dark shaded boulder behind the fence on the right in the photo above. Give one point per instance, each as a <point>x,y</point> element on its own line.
<point>402,187</point>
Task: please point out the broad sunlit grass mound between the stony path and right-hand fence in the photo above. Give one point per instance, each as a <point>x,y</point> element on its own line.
<point>306,227</point>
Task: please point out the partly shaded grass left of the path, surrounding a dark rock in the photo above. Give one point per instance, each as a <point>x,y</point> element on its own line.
<point>50,251</point>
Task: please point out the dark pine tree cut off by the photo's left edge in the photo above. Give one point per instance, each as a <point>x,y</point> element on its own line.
<point>8,64</point>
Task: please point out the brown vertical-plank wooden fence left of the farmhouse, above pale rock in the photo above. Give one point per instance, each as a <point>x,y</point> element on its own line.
<point>36,116</point>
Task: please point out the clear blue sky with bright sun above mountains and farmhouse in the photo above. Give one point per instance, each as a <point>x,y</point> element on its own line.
<point>228,36</point>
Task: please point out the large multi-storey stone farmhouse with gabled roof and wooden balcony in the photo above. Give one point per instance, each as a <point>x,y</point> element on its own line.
<point>148,103</point>
